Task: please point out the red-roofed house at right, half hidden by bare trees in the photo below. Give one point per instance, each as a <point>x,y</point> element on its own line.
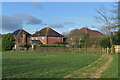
<point>77,35</point>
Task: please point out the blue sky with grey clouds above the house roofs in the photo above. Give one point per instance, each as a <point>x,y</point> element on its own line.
<point>61,16</point>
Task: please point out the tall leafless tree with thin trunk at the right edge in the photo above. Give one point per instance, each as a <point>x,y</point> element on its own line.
<point>109,19</point>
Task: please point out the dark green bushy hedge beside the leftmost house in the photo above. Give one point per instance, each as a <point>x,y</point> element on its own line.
<point>7,42</point>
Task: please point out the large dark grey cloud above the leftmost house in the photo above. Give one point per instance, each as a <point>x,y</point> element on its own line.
<point>11,23</point>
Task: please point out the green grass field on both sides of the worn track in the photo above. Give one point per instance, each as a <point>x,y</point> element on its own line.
<point>49,65</point>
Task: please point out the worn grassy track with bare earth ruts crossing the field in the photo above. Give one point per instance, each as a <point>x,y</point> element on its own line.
<point>93,70</point>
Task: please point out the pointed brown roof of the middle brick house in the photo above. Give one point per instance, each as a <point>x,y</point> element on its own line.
<point>47,31</point>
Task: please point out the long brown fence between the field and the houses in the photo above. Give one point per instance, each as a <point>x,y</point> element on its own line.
<point>68,50</point>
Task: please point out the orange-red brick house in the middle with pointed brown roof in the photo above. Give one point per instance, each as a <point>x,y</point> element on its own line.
<point>47,36</point>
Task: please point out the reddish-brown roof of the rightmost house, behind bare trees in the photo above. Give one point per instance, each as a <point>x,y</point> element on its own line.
<point>92,33</point>
